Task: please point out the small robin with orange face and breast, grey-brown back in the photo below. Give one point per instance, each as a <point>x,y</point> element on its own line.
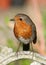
<point>24,30</point>
